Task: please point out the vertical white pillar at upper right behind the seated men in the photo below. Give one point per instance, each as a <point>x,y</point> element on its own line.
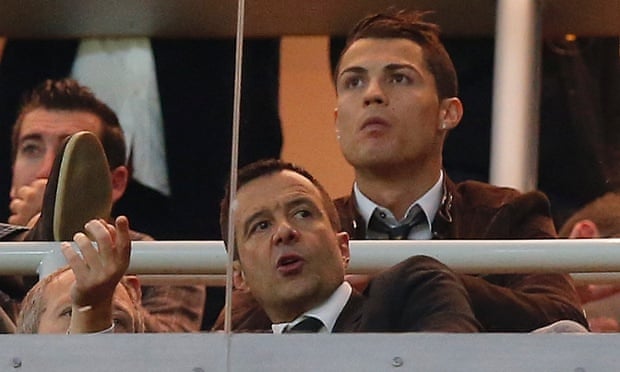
<point>514,132</point>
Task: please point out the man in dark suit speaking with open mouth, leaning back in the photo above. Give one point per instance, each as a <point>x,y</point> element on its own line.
<point>290,255</point>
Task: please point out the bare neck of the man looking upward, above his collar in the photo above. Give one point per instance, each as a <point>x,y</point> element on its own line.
<point>396,190</point>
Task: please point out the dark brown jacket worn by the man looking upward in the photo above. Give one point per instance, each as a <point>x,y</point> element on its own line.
<point>475,210</point>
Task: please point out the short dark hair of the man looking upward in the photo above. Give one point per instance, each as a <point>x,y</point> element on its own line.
<point>409,24</point>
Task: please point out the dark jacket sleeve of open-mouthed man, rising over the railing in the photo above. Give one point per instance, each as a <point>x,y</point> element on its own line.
<point>419,294</point>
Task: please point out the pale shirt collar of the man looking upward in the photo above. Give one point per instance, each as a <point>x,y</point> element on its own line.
<point>429,202</point>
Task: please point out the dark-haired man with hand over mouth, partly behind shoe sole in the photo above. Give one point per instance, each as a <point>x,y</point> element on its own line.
<point>53,111</point>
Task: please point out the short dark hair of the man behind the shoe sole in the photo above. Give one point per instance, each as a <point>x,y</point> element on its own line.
<point>68,95</point>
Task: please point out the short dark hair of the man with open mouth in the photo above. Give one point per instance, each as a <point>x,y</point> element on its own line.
<point>266,167</point>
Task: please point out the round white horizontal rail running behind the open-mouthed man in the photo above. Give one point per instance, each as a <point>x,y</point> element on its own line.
<point>467,256</point>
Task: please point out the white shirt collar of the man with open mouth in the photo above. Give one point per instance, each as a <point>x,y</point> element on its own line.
<point>328,312</point>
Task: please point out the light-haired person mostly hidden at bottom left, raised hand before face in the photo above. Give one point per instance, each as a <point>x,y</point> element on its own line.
<point>91,295</point>
